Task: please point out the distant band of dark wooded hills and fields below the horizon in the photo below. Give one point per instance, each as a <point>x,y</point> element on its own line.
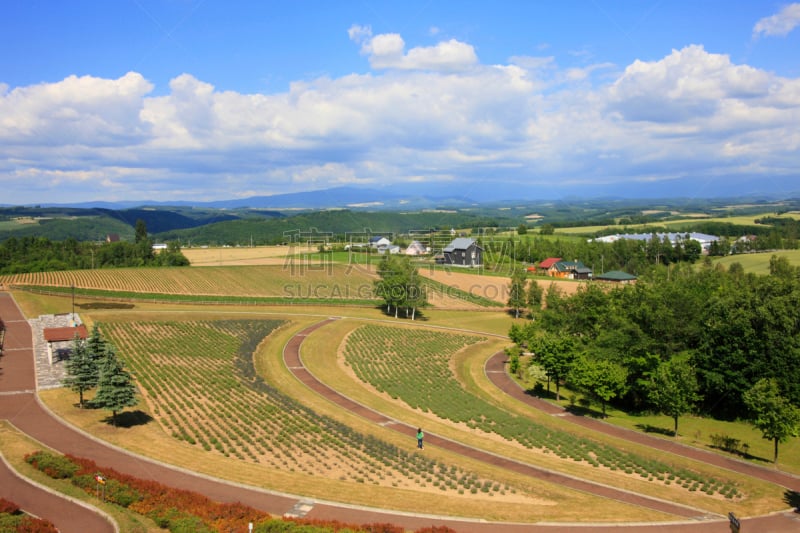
<point>246,226</point>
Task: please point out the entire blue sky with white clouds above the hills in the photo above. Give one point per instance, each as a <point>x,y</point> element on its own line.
<point>209,100</point>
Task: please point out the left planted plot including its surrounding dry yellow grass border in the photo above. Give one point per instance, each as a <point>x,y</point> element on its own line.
<point>214,415</point>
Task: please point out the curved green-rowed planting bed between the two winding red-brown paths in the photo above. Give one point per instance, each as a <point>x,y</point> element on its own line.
<point>415,367</point>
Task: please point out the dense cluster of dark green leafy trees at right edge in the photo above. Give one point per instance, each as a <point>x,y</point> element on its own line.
<point>682,339</point>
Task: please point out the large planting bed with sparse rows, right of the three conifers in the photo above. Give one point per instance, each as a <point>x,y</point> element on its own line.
<point>199,381</point>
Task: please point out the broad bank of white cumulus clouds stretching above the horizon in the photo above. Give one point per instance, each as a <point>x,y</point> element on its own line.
<point>425,115</point>
